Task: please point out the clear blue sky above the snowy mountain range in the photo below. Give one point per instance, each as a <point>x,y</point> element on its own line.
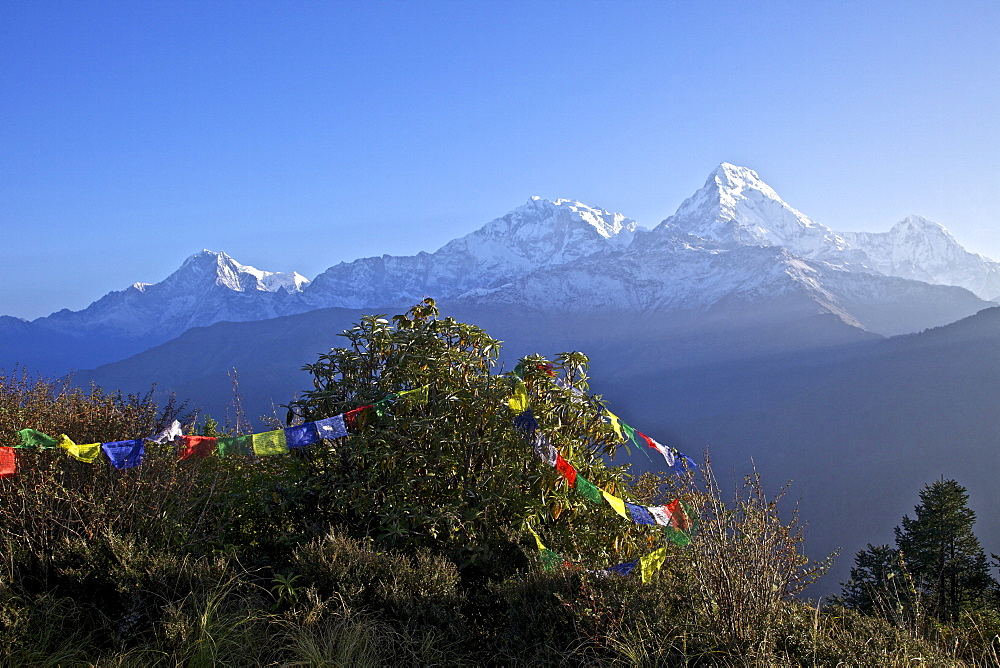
<point>294,135</point>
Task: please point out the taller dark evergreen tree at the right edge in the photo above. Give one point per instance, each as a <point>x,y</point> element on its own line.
<point>943,554</point>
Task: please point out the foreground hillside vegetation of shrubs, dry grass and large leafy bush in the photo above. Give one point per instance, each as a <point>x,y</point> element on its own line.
<point>407,543</point>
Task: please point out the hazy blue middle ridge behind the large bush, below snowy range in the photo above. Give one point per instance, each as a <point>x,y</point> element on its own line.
<point>270,353</point>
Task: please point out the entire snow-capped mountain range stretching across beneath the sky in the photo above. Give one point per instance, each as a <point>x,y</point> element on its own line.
<point>732,249</point>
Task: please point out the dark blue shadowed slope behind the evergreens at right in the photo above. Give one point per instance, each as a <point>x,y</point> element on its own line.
<point>859,429</point>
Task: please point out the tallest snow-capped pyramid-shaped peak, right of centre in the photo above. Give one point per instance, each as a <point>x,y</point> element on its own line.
<point>736,206</point>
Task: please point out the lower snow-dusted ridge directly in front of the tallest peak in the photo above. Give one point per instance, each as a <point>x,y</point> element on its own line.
<point>692,279</point>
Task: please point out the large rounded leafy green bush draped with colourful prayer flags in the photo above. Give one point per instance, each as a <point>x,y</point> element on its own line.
<point>446,470</point>
